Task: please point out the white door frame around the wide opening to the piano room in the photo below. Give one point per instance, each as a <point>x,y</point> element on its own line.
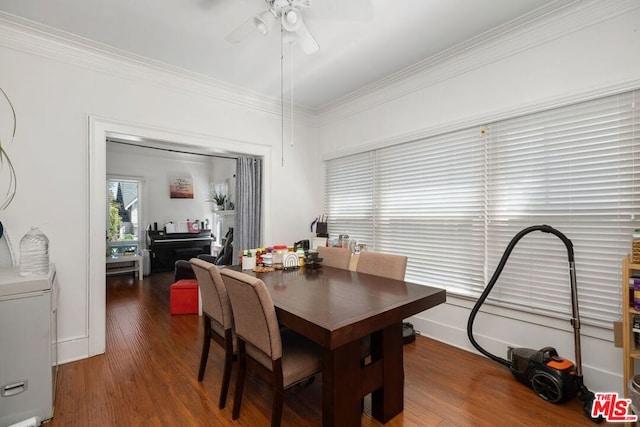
<point>99,128</point>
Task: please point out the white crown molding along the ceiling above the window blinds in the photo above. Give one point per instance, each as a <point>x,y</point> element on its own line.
<point>547,24</point>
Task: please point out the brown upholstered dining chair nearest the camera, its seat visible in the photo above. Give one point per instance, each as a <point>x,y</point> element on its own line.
<point>283,358</point>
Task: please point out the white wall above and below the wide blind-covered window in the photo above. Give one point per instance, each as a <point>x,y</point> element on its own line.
<point>591,50</point>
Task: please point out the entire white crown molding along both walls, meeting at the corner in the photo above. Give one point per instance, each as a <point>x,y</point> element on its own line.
<point>556,20</point>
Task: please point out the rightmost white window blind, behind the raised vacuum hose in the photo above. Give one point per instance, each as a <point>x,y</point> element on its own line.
<point>572,168</point>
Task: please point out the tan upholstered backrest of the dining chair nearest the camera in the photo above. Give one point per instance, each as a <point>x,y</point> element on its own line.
<point>254,314</point>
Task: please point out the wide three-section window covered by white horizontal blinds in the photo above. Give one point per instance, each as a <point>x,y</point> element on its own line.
<point>453,202</point>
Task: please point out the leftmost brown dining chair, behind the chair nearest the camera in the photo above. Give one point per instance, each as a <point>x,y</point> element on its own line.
<point>218,321</point>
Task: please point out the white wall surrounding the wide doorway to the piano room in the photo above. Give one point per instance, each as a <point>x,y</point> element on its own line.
<point>56,86</point>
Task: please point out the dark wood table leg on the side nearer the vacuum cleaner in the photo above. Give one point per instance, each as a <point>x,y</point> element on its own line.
<point>386,346</point>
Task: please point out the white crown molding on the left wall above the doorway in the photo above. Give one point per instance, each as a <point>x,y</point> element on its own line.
<point>37,39</point>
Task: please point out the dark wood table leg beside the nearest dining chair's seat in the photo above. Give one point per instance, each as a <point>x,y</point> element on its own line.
<point>342,386</point>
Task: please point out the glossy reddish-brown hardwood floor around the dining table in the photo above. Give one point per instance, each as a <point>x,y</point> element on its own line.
<point>148,377</point>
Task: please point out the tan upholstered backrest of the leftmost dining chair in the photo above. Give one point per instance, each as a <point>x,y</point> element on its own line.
<point>215,299</point>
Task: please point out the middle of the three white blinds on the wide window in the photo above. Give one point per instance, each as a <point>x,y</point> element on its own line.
<point>429,206</point>
